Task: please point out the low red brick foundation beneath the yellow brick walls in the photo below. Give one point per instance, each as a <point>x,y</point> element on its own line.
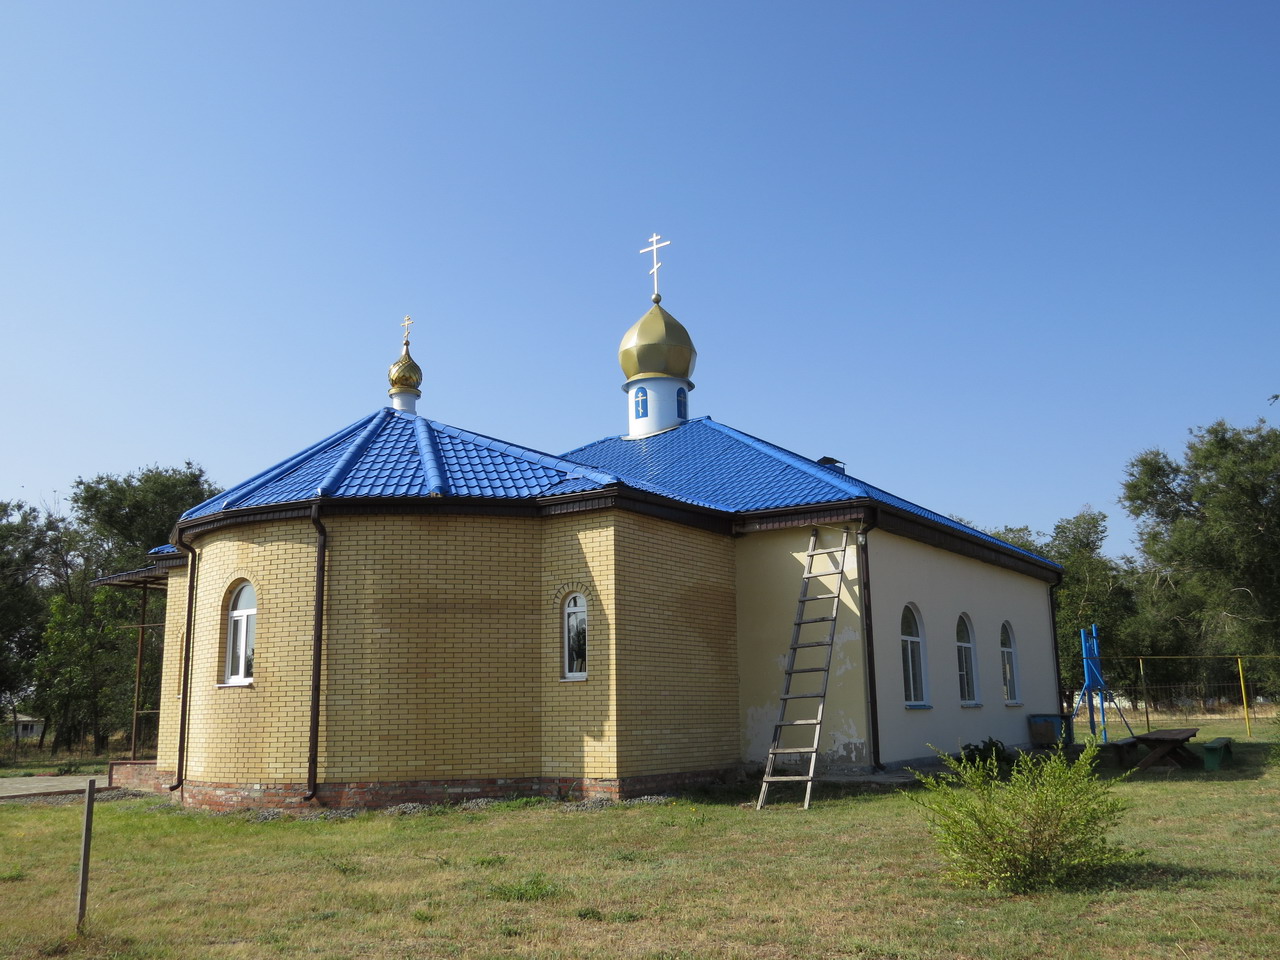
<point>204,796</point>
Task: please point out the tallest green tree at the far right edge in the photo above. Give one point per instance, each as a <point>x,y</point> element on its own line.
<point>1210,529</point>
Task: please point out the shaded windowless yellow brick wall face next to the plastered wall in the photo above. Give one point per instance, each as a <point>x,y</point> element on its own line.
<point>676,648</point>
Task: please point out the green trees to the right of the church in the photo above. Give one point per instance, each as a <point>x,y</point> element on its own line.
<point>1205,578</point>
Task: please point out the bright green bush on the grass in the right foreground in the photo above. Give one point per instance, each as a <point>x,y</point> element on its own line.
<point>1045,826</point>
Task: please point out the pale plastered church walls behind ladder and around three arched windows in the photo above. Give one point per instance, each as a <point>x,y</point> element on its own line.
<point>943,586</point>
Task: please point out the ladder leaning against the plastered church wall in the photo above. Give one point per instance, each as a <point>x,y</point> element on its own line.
<point>811,646</point>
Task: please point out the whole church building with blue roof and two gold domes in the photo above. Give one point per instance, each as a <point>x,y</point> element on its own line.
<point>406,611</point>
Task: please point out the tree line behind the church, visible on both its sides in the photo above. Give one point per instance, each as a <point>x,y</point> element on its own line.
<point>1205,580</point>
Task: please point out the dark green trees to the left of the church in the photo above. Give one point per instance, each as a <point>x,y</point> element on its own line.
<point>68,650</point>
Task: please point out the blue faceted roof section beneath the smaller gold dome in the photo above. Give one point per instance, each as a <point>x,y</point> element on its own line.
<point>397,455</point>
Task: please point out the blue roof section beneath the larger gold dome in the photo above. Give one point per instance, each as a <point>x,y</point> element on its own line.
<point>712,465</point>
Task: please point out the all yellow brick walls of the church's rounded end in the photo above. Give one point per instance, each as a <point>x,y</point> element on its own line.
<point>444,646</point>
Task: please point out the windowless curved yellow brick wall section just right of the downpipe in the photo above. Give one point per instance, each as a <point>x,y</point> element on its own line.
<point>432,636</point>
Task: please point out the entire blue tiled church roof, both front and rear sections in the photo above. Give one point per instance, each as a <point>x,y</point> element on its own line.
<point>701,463</point>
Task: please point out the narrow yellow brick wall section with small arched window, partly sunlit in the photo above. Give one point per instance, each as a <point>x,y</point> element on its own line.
<point>579,724</point>
